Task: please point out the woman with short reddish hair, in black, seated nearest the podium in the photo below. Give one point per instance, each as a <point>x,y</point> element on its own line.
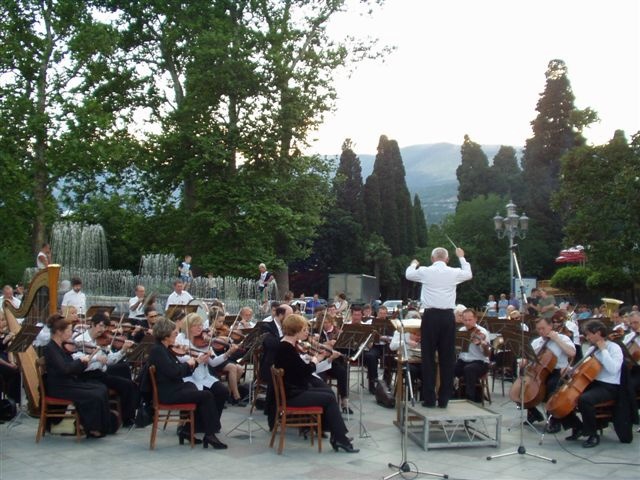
<point>297,382</point>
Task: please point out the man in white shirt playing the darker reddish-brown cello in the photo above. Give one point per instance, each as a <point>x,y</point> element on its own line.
<point>562,347</point>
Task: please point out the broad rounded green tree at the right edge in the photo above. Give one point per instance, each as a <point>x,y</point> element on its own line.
<point>598,202</point>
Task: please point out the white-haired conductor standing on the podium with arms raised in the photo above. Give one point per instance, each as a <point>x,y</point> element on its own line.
<point>438,327</point>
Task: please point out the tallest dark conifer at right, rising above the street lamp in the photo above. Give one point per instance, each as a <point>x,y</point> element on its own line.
<point>556,130</point>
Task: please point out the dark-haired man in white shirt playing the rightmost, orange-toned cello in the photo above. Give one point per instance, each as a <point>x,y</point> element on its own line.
<point>606,385</point>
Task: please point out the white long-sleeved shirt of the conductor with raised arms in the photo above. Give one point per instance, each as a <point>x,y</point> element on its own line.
<point>439,282</point>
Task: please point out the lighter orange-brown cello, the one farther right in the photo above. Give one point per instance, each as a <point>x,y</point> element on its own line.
<point>565,399</point>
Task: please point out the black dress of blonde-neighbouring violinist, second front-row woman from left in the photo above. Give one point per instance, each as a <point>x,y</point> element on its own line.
<point>172,389</point>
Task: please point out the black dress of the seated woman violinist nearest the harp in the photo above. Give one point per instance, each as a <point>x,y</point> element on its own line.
<point>90,397</point>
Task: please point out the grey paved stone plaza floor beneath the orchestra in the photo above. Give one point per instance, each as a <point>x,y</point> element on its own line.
<point>127,455</point>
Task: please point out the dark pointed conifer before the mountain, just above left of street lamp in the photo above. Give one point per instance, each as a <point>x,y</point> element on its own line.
<point>473,171</point>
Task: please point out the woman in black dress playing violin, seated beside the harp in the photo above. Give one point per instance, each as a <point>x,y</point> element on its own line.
<point>64,380</point>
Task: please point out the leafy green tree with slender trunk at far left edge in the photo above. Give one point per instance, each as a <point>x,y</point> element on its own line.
<point>65,100</point>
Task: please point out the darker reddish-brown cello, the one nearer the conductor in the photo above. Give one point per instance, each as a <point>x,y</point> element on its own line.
<point>535,378</point>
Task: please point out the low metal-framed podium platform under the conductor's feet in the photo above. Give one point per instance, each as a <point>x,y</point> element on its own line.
<point>461,424</point>
